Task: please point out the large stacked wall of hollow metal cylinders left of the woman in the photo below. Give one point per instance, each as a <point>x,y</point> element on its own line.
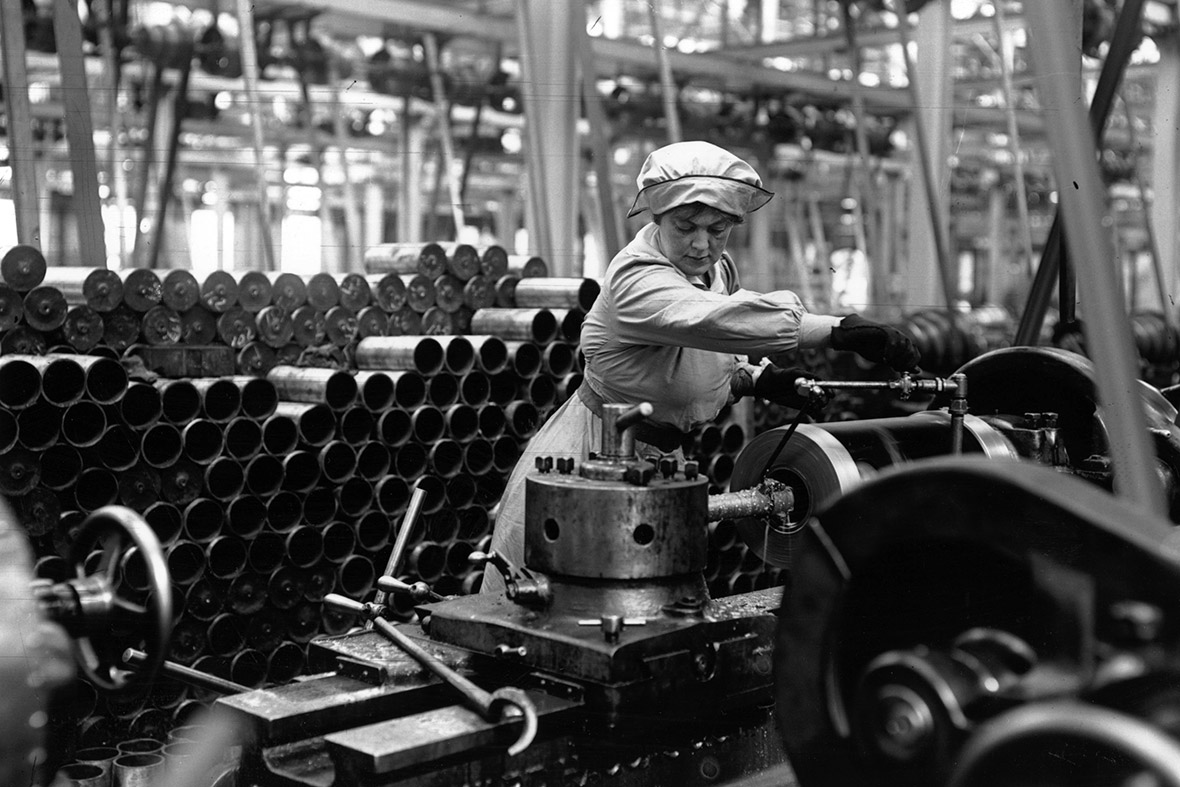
<point>271,489</point>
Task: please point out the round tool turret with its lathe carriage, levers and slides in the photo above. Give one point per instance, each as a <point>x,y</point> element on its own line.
<point>619,664</point>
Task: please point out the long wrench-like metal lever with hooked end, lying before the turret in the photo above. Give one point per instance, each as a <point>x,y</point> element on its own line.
<point>491,706</point>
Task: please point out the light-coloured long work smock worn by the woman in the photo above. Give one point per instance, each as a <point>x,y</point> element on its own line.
<point>654,336</point>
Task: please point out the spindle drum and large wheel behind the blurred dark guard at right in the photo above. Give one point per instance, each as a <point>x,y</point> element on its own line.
<point>1038,404</point>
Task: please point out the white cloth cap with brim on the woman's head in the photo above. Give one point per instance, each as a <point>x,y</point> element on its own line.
<point>698,172</point>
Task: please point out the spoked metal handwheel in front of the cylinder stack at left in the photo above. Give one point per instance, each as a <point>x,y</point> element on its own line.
<point>102,612</point>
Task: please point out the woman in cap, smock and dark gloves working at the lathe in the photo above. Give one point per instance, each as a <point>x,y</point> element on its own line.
<point>674,327</point>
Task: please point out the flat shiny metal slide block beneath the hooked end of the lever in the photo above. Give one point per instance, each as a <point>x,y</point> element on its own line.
<point>430,736</point>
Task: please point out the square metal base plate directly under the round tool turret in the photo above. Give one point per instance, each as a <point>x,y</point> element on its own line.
<point>560,645</point>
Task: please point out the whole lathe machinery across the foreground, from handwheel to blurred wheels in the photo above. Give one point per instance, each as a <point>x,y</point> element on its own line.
<point>965,596</point>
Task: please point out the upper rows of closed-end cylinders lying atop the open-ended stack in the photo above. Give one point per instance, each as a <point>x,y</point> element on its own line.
<point>270,319</point>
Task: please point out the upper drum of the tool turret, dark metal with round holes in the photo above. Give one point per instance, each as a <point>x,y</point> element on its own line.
<point>592,529</point>
